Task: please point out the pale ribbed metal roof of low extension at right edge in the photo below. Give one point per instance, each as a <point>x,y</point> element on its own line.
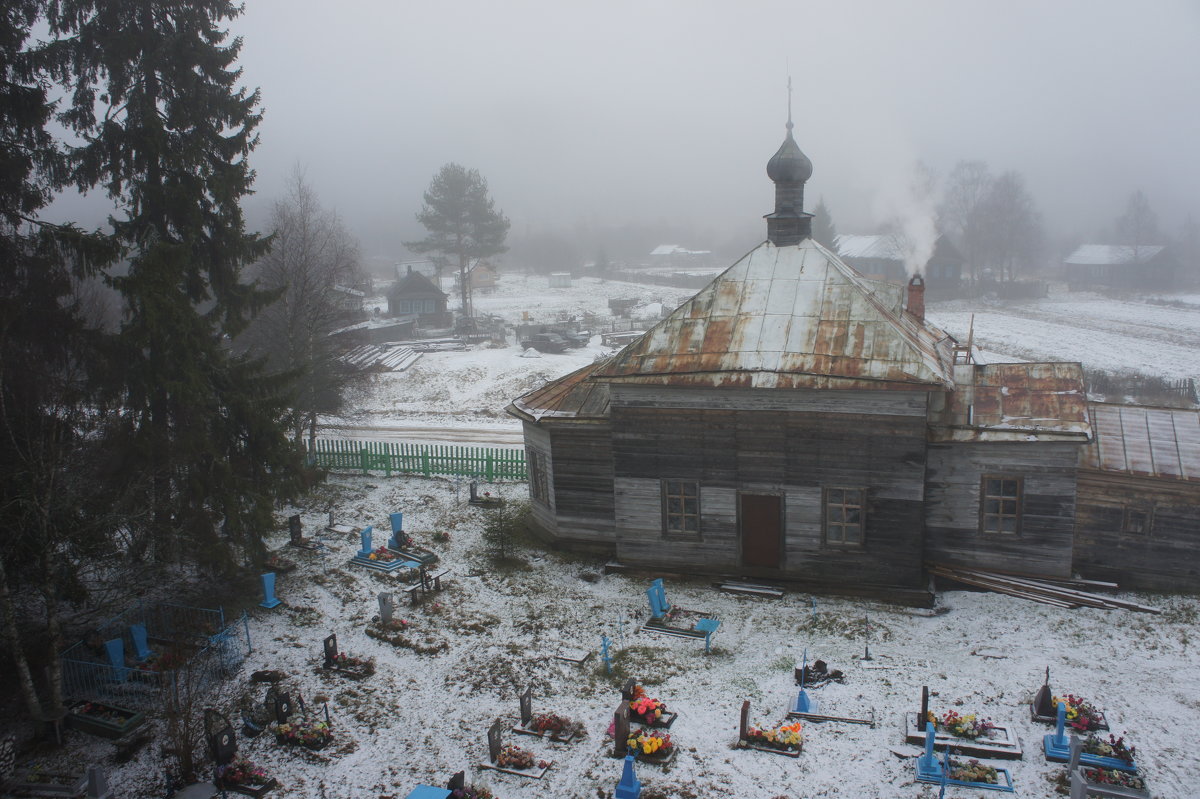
<point>1147,442</point>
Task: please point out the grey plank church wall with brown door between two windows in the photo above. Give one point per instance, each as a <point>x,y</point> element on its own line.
<point>783,442</point>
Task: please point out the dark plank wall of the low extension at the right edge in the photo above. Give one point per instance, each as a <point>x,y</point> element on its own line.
<point>1167,557</point>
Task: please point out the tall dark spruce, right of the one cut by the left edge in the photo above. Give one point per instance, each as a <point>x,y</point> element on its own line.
<point>170,145</point>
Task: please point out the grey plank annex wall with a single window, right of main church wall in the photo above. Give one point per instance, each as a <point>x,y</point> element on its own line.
<point>1048,521</point>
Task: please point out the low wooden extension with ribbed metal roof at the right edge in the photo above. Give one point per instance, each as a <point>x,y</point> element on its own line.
<point>1138,504</point>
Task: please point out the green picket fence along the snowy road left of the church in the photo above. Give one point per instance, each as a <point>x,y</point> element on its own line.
<point>427,460</point>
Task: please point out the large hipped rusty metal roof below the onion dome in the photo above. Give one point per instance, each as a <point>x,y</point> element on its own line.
<point>789,317</point>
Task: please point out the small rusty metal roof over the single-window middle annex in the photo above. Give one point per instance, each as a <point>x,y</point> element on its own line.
<point>1015,402</point>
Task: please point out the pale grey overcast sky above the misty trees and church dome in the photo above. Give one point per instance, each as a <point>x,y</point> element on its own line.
<point>609,113</point>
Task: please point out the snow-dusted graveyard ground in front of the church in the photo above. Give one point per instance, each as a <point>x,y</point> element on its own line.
<point>421,718</point>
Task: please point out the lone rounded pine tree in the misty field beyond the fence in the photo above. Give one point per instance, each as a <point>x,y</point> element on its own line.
<point>463,223</point>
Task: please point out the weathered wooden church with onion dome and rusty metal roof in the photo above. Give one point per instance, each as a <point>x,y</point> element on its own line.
<point>797,422</point>
